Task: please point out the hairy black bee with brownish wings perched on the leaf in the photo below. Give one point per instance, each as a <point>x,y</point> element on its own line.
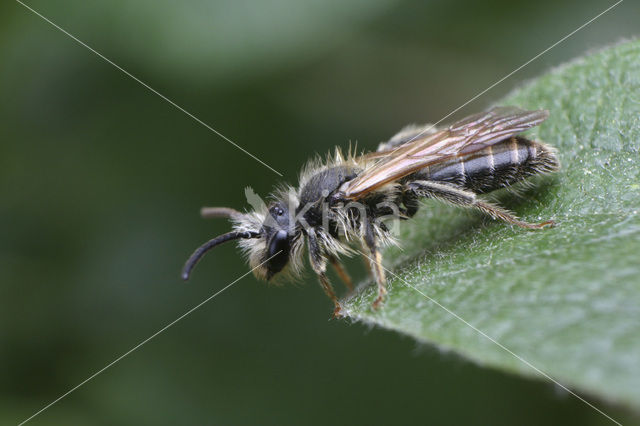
<point>346,200</point>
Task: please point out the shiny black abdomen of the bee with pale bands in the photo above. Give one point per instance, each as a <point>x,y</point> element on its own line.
<point>494,167</point>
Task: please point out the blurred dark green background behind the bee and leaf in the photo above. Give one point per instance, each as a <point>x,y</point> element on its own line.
<point>101,182</point>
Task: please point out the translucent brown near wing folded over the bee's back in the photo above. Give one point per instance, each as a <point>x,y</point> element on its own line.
<point>464,137</point>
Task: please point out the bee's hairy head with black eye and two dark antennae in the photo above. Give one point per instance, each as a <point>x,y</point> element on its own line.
<point>268,237</point>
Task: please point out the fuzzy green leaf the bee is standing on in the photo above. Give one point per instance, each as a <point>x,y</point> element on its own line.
<point>565,299</point>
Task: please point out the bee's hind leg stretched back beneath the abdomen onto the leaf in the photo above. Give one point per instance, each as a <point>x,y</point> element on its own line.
<point>461,197</point>
